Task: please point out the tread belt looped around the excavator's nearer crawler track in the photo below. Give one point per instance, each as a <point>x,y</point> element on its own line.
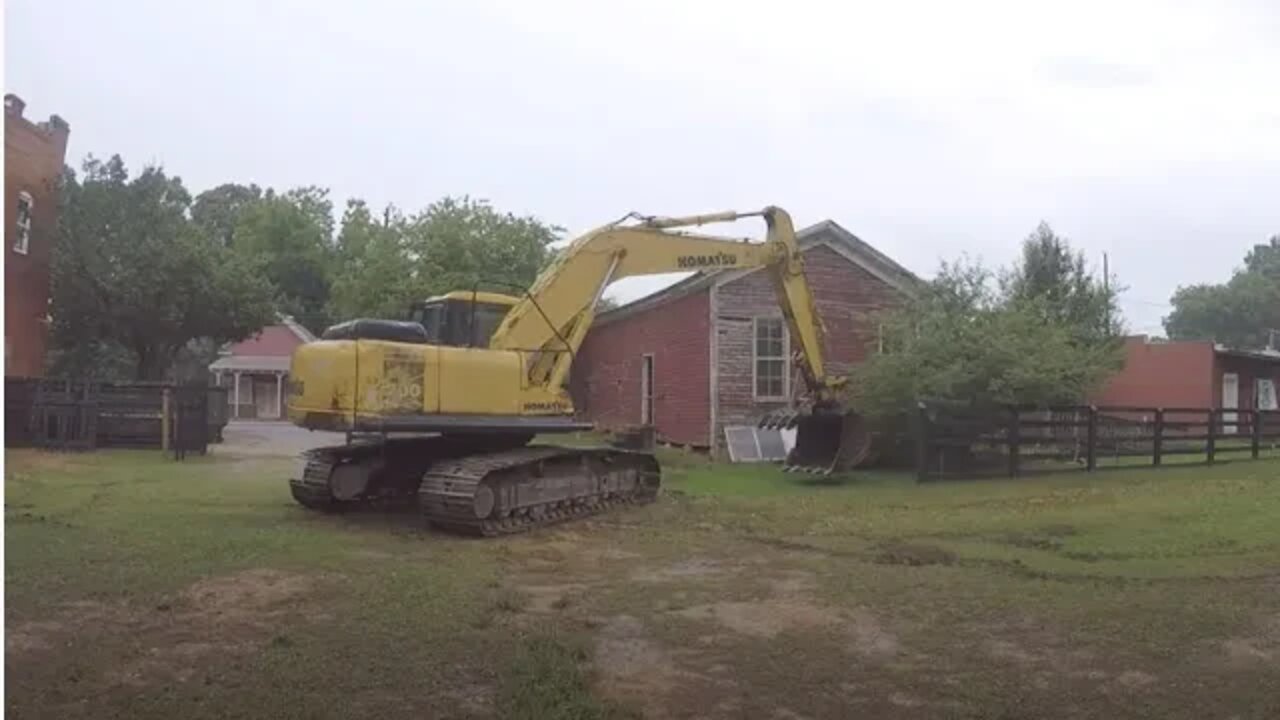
<point>449,489</point>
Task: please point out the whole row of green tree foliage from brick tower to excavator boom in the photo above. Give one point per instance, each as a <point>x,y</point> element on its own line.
<point>143,275</point>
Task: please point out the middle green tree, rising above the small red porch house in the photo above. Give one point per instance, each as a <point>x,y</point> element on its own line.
<point>287,238</point>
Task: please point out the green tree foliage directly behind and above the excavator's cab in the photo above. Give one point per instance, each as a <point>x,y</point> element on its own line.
<point>386,265</point>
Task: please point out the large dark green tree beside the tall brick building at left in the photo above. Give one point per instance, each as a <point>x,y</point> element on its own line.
<point>134,279</point>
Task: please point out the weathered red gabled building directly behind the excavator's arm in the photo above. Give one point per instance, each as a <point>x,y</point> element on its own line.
<point>714,350</point>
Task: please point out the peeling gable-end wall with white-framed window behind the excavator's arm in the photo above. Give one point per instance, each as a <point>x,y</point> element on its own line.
<point>848,299</point>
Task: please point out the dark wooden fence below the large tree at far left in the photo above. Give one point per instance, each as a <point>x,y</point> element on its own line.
<point>83,416</point>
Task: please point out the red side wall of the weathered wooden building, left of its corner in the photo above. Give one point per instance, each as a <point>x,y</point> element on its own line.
<point>606,375</point>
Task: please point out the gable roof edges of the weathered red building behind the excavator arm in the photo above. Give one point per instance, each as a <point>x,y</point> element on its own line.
<point>826,234</point>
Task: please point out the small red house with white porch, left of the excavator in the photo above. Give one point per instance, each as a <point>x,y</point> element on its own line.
<point>255,371</point>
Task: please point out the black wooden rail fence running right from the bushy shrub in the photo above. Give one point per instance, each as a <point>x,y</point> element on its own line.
<point>954,443</point>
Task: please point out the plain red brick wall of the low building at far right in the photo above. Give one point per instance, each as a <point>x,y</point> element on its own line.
<point>1165,375</point>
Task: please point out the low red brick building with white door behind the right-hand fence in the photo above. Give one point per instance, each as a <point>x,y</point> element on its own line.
<point>1194,375</point>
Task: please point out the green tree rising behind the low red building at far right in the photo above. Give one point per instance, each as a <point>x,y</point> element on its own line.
<point>1241,313</point>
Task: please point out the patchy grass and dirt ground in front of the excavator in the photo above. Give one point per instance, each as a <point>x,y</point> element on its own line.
<point>683,613</point>
